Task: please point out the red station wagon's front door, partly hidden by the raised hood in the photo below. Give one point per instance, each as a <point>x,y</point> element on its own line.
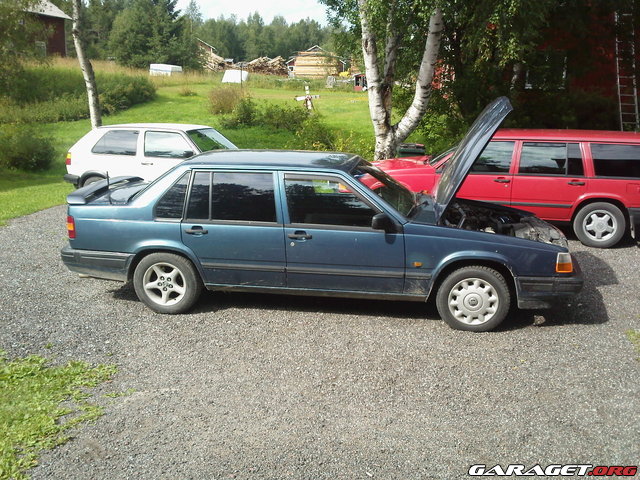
<point>490,176</point>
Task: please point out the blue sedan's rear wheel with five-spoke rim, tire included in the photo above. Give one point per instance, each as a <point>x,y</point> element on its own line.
<point>167,283</point>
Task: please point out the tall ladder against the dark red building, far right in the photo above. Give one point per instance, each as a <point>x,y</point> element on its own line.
<point>626,72</point>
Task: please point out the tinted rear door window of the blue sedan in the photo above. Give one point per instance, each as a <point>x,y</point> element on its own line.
<point>235,196</point>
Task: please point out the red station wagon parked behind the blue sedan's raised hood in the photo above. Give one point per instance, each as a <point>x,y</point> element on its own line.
<point>588,178</point>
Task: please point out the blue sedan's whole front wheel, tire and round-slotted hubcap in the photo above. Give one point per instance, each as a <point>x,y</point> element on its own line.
<point>474,298</point>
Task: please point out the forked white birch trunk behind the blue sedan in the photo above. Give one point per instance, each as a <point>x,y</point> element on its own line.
<point>380,86</point>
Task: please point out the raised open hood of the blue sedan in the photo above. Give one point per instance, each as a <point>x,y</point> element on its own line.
<point>468,150</point>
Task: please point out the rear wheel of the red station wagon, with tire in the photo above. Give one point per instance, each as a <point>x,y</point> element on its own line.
<point>599,225</point>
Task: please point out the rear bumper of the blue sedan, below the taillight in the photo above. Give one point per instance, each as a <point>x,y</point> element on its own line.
<point>107,265</point>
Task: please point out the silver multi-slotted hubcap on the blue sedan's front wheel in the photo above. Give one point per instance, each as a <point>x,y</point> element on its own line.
<point>473,301</point>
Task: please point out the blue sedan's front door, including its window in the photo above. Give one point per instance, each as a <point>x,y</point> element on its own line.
<point>330,242</point>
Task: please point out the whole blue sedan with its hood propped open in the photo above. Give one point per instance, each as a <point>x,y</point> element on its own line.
<point>308,223</point>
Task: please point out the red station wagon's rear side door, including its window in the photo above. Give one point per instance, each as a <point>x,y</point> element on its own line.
<point>550,179</point>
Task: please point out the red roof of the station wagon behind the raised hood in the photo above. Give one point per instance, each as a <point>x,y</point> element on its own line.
<point>566,135</point>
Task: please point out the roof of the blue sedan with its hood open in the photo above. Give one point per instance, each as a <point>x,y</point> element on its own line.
<point>275,159</point>
